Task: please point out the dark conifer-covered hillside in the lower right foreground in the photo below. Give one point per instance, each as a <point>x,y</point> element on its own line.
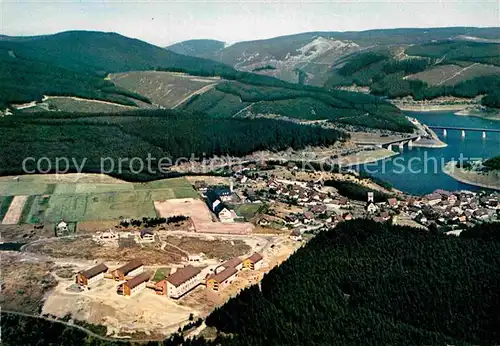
<point>366,283</point>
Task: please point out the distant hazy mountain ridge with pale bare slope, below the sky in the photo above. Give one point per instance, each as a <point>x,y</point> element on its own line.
<point>285,53</point>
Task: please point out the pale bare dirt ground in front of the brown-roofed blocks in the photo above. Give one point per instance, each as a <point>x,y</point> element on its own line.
<point>143,312</point>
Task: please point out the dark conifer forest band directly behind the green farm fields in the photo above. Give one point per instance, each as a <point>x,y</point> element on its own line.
<point>161,133</point>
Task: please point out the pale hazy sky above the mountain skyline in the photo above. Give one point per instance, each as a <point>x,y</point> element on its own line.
<point>168,21</point>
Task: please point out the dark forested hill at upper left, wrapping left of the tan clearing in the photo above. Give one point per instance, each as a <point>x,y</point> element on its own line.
<point>75,63</point>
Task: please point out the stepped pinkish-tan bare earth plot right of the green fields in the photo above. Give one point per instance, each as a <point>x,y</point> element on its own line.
<point>201,216</point>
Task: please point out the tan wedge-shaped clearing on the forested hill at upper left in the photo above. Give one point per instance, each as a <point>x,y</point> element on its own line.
<point>166,89</point>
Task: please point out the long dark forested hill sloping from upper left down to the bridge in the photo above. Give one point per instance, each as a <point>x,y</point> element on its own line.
<point>75,63</point>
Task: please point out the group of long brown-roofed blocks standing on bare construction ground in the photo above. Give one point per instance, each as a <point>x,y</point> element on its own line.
<point>177,284</point>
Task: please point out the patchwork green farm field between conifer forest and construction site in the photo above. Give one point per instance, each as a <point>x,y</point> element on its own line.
<point>74,202</point>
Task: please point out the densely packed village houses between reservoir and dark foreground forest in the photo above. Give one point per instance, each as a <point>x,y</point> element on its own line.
<point>305,205</point>
